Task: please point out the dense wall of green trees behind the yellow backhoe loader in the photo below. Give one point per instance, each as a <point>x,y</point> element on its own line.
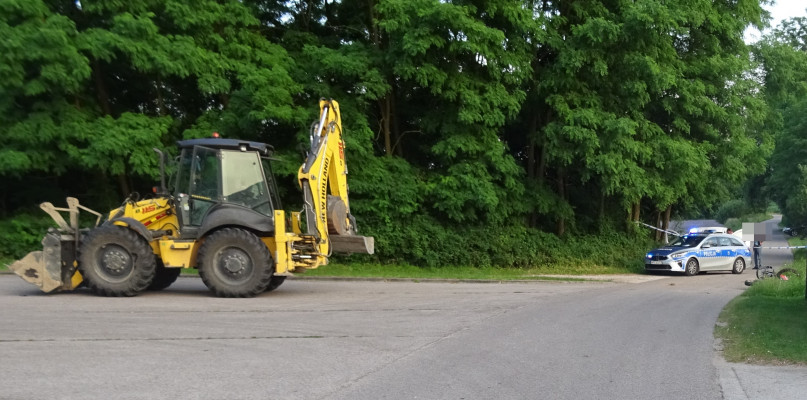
<point>475,128</point>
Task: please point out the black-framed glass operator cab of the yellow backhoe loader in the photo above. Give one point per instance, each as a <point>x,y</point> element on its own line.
<point>225,182</point>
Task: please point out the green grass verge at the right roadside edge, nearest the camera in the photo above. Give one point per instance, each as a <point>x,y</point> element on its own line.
<point>767,324</point>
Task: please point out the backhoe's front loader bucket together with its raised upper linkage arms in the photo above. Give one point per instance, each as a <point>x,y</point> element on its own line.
<point>54,267</point>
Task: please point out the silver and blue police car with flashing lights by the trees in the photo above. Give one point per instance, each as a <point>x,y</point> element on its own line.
<point>700,252</point>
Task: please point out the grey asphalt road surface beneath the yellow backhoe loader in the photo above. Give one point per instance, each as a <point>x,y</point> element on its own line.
<point>314,339</point>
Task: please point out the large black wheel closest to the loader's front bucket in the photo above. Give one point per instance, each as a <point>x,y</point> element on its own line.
<point>116,261</point>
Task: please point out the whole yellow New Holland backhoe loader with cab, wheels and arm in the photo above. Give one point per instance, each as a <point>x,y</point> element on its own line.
<point>223,218</point>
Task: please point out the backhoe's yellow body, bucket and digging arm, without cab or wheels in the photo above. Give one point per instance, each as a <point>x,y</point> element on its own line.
<point>296,244</point>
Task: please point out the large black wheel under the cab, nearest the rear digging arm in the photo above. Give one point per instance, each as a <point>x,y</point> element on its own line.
<point>235,263</point>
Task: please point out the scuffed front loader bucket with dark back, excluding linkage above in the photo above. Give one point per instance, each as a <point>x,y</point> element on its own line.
<point>52,268</point>
